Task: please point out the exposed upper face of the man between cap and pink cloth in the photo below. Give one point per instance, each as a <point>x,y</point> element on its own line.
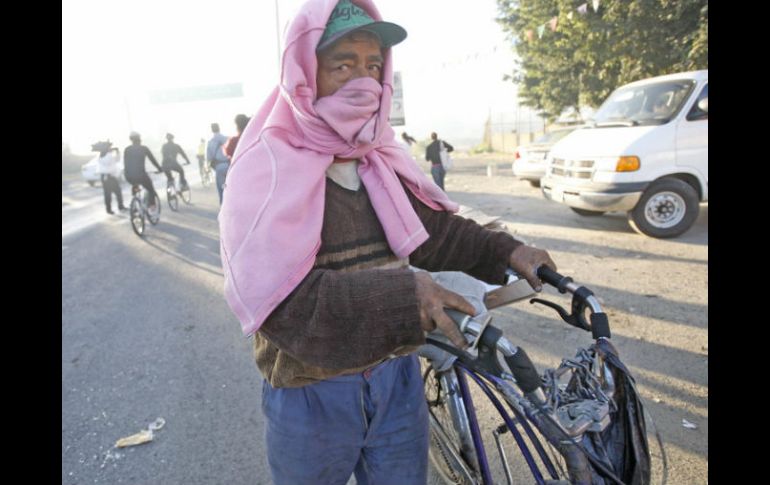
<point>355,55</point>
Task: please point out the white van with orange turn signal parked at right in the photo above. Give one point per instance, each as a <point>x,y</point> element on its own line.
<point>645,152</point>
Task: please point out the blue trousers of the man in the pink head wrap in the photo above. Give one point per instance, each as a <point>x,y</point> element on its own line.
<point>373,424</point>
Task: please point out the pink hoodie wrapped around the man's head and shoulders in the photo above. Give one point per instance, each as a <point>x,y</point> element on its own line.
<point>272,212</point>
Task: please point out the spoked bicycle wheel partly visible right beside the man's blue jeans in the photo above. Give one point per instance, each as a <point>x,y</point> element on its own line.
<point>450,459</point>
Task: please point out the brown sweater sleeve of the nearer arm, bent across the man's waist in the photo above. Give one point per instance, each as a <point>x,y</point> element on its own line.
<point>341,320</point>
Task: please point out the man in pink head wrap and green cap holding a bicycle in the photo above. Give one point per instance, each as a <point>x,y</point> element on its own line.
<point>323,215</point>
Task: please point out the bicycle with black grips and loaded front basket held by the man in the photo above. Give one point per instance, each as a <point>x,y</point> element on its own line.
<point>566,414</point>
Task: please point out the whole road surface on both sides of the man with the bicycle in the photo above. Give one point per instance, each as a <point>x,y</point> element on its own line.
<point>146,332</point>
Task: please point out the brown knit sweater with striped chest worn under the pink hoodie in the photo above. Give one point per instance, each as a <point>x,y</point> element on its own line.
<point>357,306</point>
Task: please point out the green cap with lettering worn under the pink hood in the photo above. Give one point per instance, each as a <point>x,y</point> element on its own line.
<point>346,17</point>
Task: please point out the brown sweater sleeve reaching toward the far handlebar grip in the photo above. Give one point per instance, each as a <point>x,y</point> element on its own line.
<point>459,244</point>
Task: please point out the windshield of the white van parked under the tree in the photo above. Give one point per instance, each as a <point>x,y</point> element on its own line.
<point>649,104</point>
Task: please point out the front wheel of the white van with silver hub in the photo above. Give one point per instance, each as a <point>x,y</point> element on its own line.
<point>667,208</point>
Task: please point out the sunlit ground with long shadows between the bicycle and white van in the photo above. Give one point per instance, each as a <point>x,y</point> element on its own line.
<point>655,292</point>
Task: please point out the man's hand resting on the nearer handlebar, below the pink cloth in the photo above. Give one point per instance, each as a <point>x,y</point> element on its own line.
<point>432,298</point>
